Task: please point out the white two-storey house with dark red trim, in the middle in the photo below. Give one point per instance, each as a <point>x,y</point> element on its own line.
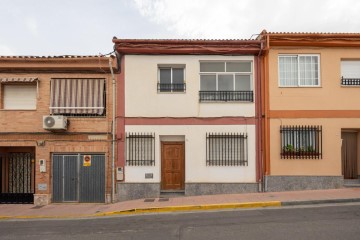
<point>189,118</point>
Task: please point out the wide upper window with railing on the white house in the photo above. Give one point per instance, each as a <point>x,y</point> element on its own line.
<point>226,81</point>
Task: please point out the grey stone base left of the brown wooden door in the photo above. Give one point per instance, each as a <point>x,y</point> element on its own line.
<point>130,191</point>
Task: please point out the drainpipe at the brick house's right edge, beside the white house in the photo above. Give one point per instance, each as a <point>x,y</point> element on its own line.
<point>113,142</point>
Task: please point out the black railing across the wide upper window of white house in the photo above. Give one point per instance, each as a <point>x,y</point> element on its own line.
<point>226,96</point>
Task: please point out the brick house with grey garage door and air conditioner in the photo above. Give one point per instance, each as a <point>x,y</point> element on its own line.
<point>55,129</point>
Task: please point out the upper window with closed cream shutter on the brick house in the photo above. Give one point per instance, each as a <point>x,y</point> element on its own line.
<point>19,93</point>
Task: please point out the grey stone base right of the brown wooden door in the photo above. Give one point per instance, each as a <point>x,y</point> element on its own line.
<point>193,189</point>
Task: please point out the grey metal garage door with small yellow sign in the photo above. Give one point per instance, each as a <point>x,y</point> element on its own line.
<point>75,181</point>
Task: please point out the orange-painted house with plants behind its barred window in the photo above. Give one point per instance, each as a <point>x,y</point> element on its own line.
<point>312,111</point>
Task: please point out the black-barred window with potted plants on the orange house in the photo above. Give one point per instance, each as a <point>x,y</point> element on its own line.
<point>301,142</point>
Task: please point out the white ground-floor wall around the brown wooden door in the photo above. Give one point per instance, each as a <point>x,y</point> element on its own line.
<point>196,170</point>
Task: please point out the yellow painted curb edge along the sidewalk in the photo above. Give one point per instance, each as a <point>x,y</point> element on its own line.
<point>161,209</point>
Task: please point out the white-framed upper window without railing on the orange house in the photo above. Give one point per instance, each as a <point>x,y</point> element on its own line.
<point>299,70</point>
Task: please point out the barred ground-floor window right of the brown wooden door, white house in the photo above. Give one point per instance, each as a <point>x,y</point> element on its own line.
<point>226,149</point>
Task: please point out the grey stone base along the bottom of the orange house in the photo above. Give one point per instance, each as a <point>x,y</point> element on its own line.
<point>295,183</point>
